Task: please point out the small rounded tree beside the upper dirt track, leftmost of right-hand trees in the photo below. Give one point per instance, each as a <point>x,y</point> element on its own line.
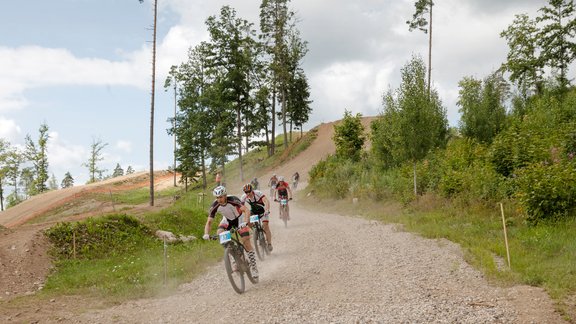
<point>349,137</point>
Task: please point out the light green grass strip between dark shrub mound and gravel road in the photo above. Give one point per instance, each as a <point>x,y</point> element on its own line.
<point>133,275</point>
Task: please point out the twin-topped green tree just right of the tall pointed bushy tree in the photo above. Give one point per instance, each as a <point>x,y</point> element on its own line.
<point>482,107</point>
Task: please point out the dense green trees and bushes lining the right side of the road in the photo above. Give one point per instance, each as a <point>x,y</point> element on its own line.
<point>516,139</point>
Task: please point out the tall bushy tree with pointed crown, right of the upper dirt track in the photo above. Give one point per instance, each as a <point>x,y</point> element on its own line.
<point>413,122</point>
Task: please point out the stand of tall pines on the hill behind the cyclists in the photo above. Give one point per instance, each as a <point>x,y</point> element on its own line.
<point>234,89</point>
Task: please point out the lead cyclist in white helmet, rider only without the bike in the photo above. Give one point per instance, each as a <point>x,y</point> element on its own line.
<point>231,209</point>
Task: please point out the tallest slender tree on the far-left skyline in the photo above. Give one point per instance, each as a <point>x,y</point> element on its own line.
<point>37,154</point>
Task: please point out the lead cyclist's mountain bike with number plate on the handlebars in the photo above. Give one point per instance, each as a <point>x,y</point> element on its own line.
<point>235,260</point>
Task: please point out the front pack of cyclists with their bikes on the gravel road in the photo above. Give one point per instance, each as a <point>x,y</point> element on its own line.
<point>240,219</point>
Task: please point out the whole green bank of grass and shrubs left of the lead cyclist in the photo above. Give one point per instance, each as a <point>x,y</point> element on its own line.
<point>118,258</point>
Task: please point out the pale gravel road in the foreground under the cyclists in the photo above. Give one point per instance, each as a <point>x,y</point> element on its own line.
<point>327,268</point>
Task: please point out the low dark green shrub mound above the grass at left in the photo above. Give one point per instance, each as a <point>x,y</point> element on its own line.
<point>98,238</point>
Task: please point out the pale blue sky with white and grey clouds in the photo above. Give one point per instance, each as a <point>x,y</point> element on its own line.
<point>84,67</point>
